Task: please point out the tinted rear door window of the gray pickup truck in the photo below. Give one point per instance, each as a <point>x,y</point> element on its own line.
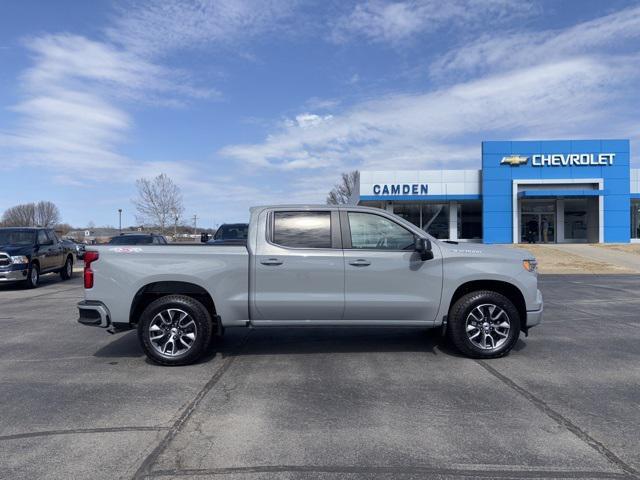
<point>302,229</point>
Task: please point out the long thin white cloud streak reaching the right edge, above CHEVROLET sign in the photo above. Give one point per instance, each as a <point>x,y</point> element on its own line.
<point>513,50</point>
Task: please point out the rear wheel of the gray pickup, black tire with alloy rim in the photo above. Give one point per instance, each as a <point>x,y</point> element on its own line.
<point>155,315</point>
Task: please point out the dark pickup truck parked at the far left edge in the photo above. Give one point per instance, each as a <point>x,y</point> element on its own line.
<point>27,253</point>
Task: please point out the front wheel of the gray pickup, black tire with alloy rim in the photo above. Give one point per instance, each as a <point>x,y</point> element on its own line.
<point>486,306</point>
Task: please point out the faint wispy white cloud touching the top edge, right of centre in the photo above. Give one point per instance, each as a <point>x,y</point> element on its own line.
<point>393,22</point>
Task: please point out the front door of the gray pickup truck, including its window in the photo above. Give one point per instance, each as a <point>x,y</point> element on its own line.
<point>385,279</point>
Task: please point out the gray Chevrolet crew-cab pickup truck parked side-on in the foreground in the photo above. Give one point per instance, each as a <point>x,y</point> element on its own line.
<point>313,266</point>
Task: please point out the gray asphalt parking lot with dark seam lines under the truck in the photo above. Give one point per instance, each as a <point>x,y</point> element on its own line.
<point>352,403</point>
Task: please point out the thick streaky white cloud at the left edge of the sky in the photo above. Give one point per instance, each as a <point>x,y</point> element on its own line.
<point>72,114</point>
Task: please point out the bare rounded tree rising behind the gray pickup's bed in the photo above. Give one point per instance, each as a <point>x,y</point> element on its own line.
<point>159,201</point>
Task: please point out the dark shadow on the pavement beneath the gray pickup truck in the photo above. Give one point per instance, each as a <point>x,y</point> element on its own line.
<point>306,340</point>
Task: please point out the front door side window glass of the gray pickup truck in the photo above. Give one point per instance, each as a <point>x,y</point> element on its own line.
<point>370,231</point>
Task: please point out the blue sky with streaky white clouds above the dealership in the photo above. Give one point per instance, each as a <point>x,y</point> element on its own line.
<point>249,102</point>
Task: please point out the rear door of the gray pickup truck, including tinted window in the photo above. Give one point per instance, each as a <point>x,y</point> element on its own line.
<point>299,266</point>
